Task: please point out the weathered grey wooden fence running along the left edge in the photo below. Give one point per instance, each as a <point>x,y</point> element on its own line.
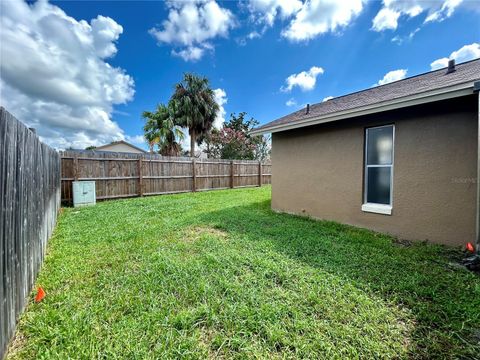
<point>30,200</point>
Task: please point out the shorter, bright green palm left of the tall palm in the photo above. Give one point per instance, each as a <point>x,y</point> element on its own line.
<point>160,129</point>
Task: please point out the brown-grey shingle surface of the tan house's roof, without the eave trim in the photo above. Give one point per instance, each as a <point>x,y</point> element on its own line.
<point>465,72</point>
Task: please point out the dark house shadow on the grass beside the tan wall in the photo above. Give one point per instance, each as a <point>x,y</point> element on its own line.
<point>444,300</point>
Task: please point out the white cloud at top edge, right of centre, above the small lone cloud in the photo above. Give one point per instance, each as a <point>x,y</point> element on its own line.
<point>317,17</point>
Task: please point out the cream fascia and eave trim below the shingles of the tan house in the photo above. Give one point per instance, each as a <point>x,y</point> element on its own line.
<point>410,100</point>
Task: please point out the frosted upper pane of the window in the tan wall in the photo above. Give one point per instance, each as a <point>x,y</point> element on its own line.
<point>379,146</point>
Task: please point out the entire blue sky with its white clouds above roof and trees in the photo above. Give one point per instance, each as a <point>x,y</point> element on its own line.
<point>342,47</point>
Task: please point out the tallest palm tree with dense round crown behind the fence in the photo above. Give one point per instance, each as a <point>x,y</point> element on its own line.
<point>193,104</point>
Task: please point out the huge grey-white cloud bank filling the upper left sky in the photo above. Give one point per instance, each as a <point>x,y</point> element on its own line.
<point>54,76</point>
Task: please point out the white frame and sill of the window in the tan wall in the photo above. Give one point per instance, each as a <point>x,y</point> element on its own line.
<point>385,209</point>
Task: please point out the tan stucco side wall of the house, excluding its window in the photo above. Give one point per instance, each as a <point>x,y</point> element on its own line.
<point>318,171</point>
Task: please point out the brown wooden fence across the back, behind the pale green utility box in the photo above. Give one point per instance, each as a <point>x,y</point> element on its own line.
<point>119,175</point>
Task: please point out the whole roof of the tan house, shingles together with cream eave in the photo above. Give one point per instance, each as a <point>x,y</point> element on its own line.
<point>431,86</point>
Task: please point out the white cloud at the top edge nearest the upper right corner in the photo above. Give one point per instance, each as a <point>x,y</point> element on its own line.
<point>392,10</point>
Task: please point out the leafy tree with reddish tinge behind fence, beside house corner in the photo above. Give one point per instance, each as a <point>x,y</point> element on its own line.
<point>234,141</point>
